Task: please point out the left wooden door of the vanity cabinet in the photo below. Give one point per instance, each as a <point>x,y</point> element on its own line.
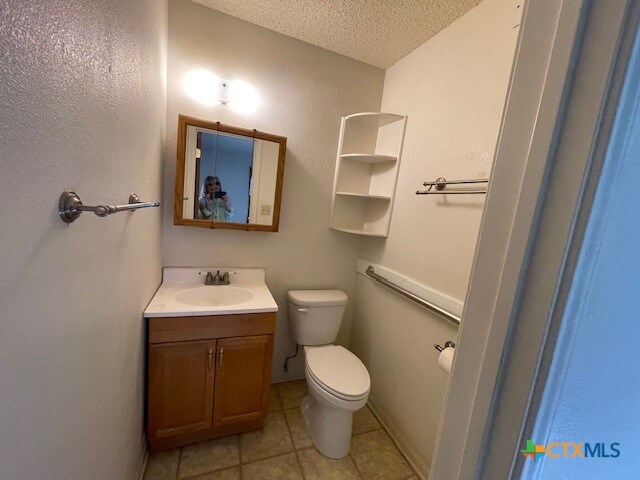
<point>180,388</point>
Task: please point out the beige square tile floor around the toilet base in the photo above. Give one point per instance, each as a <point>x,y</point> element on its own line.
<point>284,451</point>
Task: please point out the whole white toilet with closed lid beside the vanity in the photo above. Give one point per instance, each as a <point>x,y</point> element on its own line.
<point>338,381</point>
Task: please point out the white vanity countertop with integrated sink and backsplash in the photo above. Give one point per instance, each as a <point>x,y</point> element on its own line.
<point>181,283</point>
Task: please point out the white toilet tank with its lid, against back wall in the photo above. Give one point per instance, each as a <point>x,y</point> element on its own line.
<point>315,315</point>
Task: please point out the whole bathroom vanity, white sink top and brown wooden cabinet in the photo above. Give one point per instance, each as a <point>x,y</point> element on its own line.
<point>209,356</point>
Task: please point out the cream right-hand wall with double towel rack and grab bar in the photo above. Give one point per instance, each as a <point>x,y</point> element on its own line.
<point>453,90</point>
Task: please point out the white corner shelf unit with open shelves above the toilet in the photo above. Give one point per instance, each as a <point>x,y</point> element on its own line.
<point>366,174</point>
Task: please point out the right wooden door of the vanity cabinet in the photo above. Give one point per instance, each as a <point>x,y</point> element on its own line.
<point>243,373</point>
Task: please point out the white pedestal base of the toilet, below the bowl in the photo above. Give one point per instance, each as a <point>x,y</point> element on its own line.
<point>329,427</point>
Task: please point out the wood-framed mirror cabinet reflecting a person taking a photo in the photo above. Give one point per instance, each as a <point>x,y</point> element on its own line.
<point>228,177</point>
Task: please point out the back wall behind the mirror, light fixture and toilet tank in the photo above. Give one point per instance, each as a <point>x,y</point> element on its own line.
<point>304,90</point>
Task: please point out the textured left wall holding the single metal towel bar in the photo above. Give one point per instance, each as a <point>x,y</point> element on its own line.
<point>82,106</point>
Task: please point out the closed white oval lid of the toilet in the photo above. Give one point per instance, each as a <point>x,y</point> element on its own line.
<point>339,370</point>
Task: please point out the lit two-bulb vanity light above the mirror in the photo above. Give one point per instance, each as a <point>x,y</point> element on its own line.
<point>209,89</point>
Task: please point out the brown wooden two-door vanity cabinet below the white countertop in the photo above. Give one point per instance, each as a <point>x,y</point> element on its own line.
<point>207,376</point>
